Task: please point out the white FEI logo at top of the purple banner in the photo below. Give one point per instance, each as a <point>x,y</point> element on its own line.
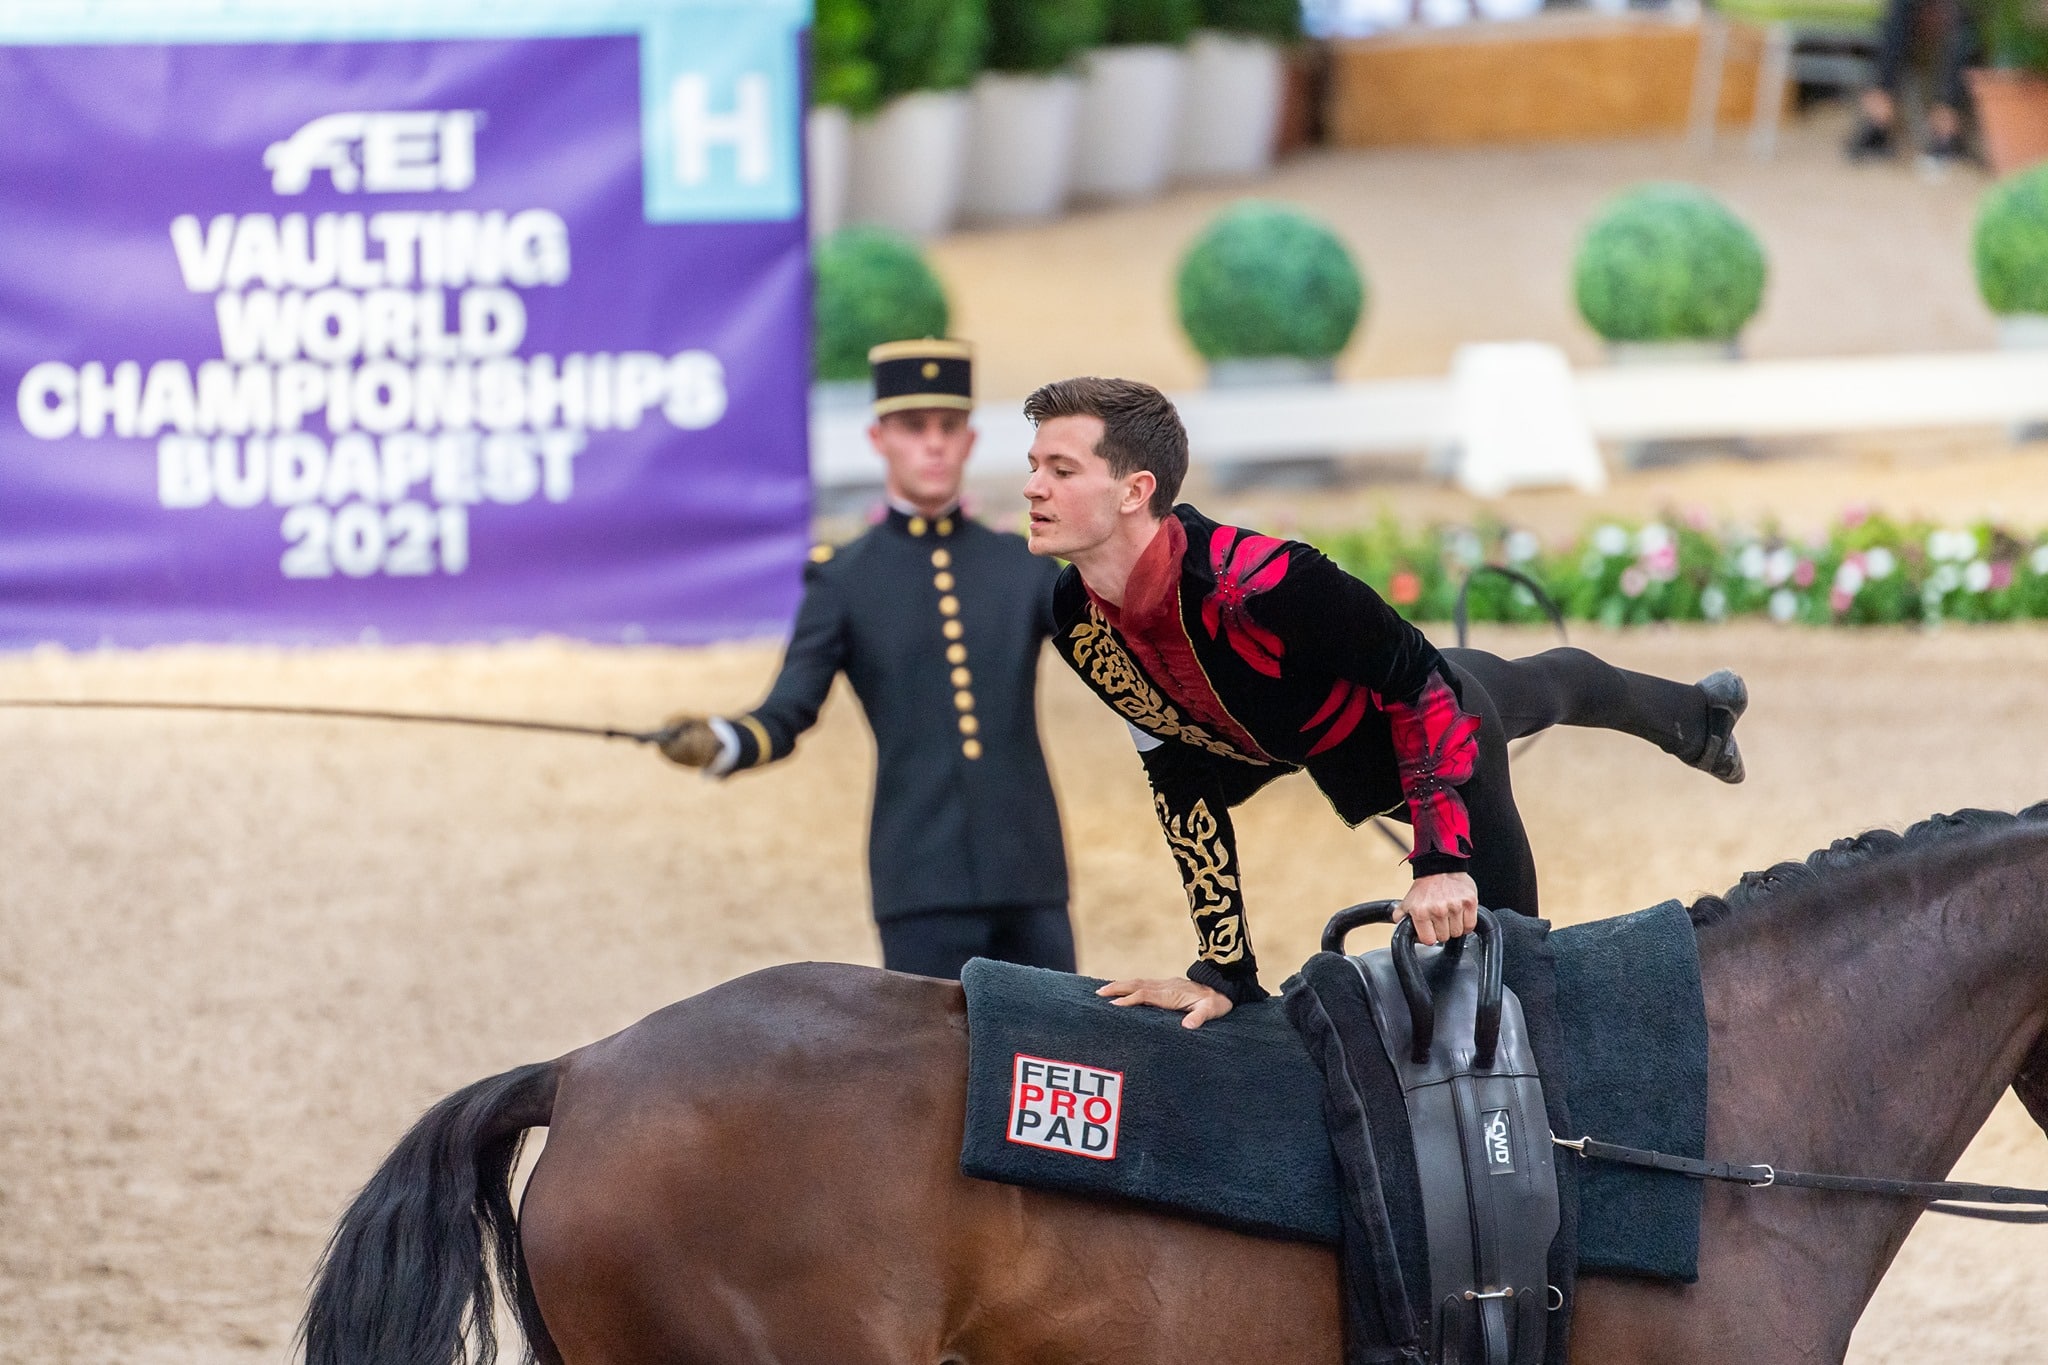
<point>400,152</point>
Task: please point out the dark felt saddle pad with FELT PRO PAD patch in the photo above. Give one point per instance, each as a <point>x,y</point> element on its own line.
<point>1226,1122</point>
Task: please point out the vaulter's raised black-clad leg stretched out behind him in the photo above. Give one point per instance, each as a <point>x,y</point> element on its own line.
<point>1570,687</point>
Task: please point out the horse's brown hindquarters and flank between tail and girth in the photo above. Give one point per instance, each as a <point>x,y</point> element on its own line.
<point>769,1172</point>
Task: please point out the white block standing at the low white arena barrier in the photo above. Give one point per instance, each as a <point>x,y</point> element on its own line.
<point>1519,421</point>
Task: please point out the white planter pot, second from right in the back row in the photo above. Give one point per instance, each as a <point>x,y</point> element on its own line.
<point>1129,122</point>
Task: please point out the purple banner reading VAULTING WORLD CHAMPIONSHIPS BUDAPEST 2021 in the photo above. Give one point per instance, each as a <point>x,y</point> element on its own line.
<point>374,341</point>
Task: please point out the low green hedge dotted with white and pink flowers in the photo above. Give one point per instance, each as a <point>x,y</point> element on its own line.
<point>1867,572</point>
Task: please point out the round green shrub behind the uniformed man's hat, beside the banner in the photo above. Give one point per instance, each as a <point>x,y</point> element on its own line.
<point>871,288</point>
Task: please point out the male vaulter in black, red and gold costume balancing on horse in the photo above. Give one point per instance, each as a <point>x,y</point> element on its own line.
<point>1238,658</point>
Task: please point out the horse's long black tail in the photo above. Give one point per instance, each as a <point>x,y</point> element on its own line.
<point>407,1274</point>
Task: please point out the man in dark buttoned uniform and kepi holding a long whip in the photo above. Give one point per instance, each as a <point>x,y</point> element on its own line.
<point>937,623</point>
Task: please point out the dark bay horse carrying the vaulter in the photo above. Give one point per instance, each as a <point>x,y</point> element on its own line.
<point>769,1172</point>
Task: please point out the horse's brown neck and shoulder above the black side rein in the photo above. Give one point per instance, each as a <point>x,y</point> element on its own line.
<point>1877,1039</point>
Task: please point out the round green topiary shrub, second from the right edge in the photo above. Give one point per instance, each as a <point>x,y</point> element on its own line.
<point>1668,263</point>
